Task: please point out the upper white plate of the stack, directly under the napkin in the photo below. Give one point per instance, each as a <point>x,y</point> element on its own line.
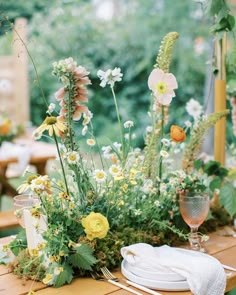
<point>154,275</point>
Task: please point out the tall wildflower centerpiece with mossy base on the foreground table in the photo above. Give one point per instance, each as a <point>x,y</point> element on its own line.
<point>117,196</point>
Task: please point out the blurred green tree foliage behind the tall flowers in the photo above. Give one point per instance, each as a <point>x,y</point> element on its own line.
<point>128,37</point>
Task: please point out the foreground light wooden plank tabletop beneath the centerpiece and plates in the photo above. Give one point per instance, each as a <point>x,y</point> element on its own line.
<point>223,248</point>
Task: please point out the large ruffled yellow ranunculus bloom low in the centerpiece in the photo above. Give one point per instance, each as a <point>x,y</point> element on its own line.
<point>95,226</point>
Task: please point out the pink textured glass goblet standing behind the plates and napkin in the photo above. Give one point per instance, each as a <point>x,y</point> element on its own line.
<point>194,208</point>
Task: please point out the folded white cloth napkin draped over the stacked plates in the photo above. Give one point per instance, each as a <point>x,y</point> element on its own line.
<point>204,274</point>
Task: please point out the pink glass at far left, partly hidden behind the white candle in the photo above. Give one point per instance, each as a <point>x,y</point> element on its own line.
<point>21,202</point>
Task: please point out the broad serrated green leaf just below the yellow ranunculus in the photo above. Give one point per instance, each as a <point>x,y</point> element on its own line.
<point>84,258</point>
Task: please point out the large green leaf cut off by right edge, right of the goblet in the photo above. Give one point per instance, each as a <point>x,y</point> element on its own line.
<point>228,198</point>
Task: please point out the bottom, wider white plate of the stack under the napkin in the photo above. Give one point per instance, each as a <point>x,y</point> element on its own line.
<point>154,284</point>
